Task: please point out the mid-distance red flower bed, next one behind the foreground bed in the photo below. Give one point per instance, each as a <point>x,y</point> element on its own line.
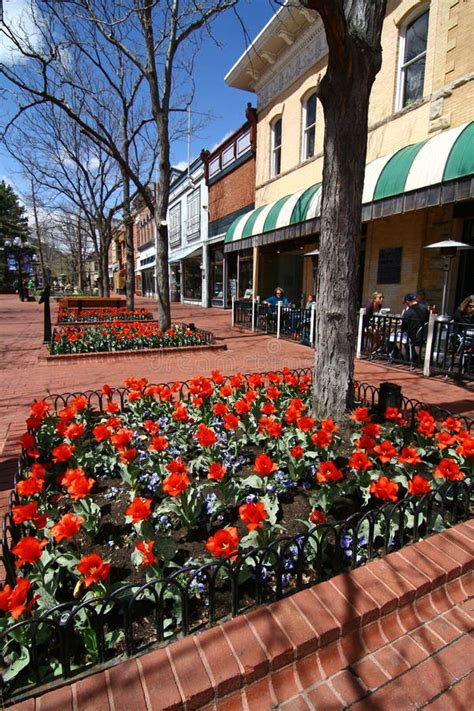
<point>118,336</point>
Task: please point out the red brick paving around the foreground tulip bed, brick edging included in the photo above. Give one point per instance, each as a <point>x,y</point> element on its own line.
<point>299,653</point>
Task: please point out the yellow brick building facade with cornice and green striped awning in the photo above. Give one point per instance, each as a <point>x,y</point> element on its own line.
<point>419,186</point>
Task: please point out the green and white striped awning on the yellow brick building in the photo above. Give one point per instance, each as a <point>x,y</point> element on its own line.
<point>447,156</point>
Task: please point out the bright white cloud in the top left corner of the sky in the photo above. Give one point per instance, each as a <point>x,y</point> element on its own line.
<point>18,21</point>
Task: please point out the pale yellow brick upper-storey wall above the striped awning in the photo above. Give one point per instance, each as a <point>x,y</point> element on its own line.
<point>450,58</point>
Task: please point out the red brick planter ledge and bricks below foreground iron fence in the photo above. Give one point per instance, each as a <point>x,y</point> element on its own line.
<point>353,637</point>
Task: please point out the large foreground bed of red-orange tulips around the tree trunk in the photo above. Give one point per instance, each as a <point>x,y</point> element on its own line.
<point>167,507</point>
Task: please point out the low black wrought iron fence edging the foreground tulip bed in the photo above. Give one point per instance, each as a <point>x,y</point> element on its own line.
<point>135,617</point>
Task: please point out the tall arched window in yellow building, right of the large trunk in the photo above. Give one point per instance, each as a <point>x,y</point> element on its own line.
<point>413,42</point>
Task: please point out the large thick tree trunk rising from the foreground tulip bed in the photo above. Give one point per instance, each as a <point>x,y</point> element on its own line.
<point>353,29</point>
